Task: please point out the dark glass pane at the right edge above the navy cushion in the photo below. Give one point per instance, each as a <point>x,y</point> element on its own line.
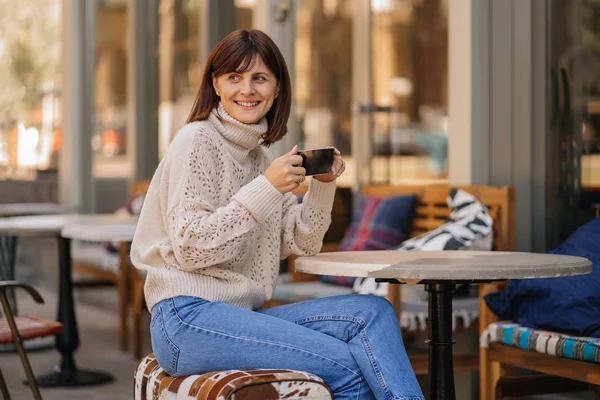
<point>573,151</point>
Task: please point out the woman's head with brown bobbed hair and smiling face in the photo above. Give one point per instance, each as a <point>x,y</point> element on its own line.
<point>246,67</point>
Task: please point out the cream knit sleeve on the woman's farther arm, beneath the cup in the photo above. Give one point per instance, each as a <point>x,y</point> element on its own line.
<point>304,225</point>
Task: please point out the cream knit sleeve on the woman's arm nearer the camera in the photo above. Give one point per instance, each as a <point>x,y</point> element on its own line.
<point>203,234</point>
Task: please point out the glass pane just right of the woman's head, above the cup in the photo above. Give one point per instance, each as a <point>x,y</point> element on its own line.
<point>323,73</point>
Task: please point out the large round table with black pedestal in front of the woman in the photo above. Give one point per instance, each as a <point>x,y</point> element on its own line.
<point>440,271</point>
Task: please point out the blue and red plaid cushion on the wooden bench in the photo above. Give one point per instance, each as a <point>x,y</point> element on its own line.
<point>377,224</point>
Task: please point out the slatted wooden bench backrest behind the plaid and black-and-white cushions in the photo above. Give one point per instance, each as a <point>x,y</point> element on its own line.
<point>432,209</point>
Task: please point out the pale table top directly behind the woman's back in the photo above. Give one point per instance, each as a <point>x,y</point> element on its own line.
<point>121,231</point>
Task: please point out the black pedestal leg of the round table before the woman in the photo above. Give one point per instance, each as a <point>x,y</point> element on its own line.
<point>439,324</point>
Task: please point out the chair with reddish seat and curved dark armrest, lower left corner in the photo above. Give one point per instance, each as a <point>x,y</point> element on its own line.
<point>16,329</point>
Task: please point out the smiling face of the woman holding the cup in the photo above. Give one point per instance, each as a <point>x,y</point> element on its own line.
<point>248,96</point>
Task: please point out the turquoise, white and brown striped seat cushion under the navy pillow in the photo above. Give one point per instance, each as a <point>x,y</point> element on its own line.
<point>551,343</point>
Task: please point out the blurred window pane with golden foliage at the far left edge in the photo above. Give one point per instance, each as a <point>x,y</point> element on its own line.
<point>30,67</point>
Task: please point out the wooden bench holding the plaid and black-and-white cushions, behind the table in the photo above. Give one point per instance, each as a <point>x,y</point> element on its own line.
<point>431,212</point>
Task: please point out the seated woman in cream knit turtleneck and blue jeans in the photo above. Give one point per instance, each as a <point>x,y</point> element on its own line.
<point>215,223</point>
